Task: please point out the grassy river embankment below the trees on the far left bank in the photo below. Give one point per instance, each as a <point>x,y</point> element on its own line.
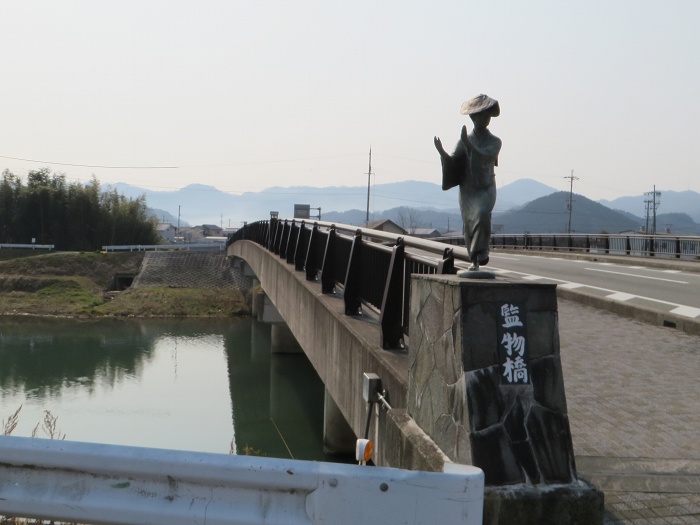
<point>77,285</point>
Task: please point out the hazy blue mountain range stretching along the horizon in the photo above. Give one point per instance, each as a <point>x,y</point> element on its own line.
<point>524,205</point>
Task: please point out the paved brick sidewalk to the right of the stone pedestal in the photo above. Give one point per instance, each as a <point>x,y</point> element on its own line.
<point>633,395</point>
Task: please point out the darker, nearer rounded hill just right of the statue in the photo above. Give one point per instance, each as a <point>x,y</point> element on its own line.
<point>550,215</point>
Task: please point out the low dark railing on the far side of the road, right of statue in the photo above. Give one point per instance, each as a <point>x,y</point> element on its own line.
<point>668,246</point>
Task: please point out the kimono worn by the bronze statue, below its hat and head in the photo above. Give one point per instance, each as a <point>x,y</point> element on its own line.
<point>473,172</point>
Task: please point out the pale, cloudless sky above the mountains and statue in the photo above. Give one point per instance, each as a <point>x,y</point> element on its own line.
<point>244,95</point>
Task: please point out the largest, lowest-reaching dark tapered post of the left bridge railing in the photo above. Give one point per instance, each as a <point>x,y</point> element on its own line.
<point>392,302</point>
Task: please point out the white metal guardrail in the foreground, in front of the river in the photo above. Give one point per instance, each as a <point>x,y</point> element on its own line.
<point>118,485</point>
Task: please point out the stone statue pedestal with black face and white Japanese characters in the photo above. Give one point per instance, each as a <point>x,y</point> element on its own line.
<point>485,382</point>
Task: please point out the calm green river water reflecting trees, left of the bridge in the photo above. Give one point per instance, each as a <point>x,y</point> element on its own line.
<point>186,384</point>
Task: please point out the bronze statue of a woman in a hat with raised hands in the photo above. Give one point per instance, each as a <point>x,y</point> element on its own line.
<point>471,167</point>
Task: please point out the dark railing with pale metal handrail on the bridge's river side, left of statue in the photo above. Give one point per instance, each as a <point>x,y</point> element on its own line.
<point>374,268</point>
